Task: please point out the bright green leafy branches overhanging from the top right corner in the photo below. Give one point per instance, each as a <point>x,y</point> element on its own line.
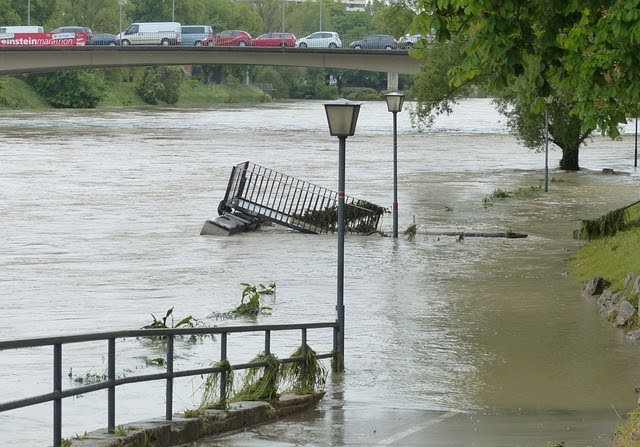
<point>588,47</point>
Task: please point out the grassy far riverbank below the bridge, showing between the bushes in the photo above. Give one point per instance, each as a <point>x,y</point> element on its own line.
<point>19,95</point>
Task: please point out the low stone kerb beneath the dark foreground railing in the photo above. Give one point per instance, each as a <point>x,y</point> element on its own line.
<point>181,430</point>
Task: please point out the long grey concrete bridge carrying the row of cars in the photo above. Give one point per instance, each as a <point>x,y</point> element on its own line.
<point>20,60</point>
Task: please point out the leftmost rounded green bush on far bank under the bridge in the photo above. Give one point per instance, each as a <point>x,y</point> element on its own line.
<point>73,89</point>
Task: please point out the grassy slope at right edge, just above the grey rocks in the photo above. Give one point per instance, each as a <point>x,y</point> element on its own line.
<point>610,257</point>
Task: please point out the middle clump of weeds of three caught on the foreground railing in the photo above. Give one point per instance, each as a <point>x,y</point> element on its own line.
<point>261,383</point>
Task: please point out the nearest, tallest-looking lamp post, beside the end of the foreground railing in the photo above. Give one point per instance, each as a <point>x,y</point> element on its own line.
<point>342,116</point>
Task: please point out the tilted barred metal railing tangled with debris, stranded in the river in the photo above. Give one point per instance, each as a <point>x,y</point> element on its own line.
<point>294,203</point>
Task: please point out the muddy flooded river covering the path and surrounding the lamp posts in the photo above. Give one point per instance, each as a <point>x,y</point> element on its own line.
<point>101,213</point>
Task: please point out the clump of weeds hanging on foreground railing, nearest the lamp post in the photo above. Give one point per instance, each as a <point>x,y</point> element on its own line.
<point>308,376</point>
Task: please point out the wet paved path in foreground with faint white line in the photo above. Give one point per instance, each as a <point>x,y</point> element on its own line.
<point>335,423</point>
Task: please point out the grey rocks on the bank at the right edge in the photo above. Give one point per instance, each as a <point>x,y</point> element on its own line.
<point>621,307</point>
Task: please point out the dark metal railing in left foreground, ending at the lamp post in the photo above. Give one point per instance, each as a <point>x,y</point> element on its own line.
<point>112,382</point>
